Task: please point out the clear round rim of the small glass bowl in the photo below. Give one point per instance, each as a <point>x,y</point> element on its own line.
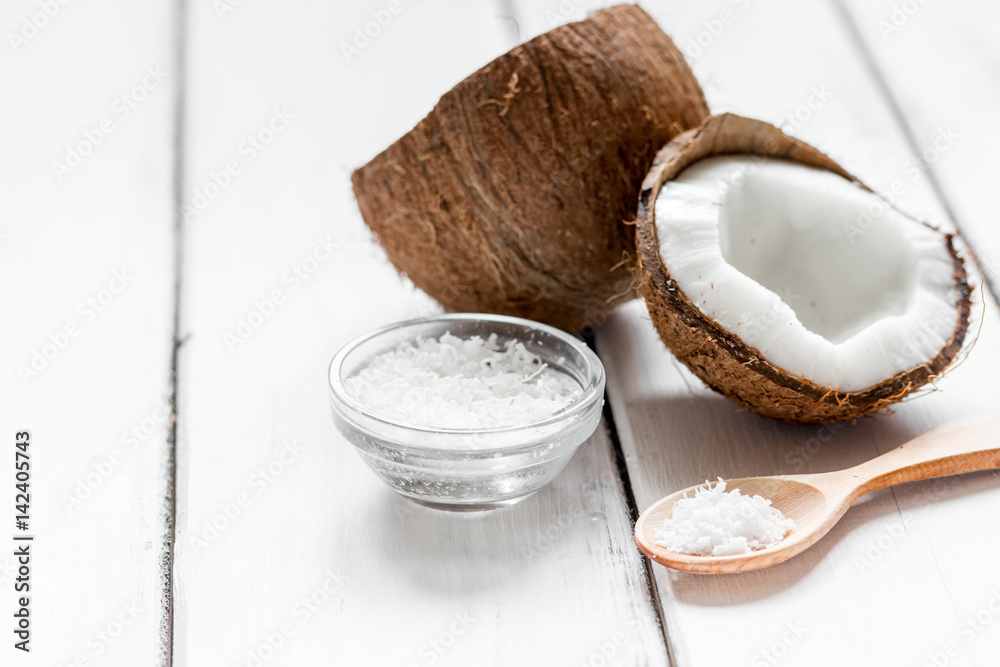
<point>593,391</point>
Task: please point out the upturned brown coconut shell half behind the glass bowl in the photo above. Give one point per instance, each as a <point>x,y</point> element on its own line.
<point>510,196</point>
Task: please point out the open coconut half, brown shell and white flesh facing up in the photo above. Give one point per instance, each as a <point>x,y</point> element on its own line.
<point>787,285</point>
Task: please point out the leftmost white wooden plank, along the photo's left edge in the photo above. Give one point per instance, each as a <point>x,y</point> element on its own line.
<point>86,269</point>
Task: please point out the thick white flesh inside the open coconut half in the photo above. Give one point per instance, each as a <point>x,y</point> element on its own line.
<point>773,252</point>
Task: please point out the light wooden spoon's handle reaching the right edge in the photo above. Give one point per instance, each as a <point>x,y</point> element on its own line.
<point>966,444</point>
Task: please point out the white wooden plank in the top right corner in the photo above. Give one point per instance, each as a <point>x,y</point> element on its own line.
<point>947,95</point>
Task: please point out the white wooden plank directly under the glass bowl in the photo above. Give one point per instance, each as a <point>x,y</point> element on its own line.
<point>313,554</point>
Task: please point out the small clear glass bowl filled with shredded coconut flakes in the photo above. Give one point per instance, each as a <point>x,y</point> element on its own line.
<point>465,469</point>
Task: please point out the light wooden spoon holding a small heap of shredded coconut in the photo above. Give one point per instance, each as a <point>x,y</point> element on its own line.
<point>816,502</point>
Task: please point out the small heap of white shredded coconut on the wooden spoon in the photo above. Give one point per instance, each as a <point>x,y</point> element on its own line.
<point>716,523</point>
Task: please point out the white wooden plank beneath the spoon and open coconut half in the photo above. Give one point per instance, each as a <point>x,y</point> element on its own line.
<point>896,582</point>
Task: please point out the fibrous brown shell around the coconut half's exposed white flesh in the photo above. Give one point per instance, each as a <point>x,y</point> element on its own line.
<point>720,358</point>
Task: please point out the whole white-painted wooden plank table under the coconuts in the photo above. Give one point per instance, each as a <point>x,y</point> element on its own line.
<point>180,256</point>
